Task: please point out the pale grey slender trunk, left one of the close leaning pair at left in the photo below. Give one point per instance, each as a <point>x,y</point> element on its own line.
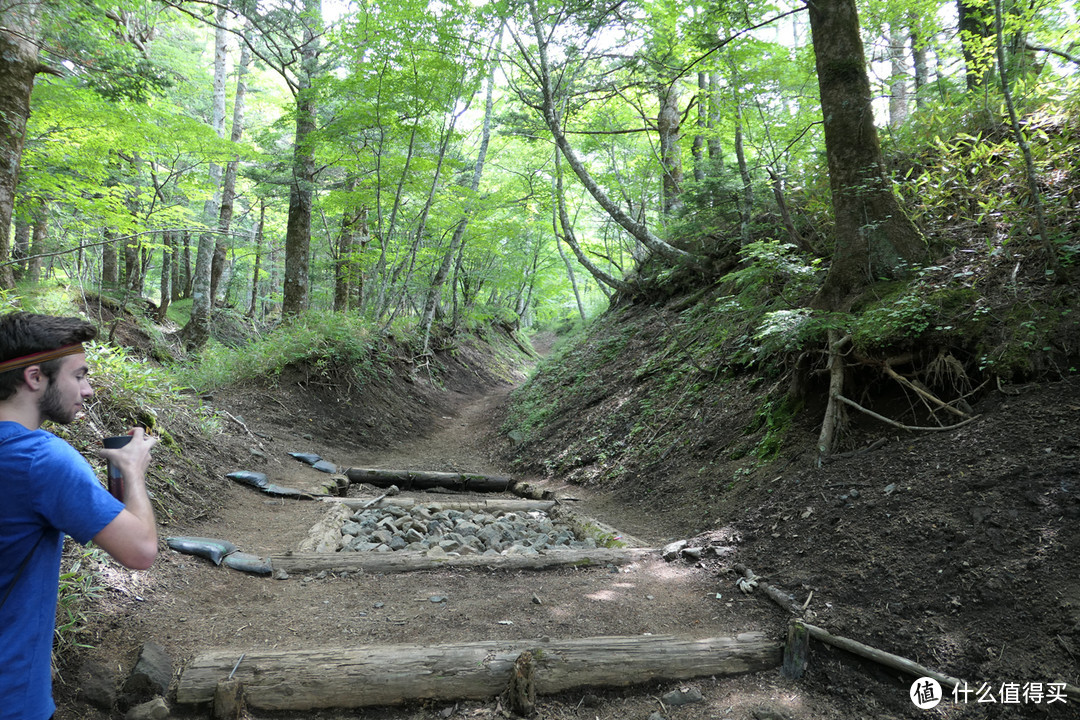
<point>197,332</point>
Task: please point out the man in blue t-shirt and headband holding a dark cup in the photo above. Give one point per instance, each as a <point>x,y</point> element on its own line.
<point>49,491</point>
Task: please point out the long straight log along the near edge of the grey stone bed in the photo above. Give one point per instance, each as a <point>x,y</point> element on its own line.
<point>410,562</point>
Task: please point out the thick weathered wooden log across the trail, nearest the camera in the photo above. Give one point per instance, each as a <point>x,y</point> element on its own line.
<point>391,675</point>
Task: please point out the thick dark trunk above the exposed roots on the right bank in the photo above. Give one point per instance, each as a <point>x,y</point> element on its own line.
<point>874,237</point>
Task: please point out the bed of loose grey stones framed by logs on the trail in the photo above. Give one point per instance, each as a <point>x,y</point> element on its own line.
<point>444,533</point>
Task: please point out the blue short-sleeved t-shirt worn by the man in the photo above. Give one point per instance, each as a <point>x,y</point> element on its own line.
<point>47,490</point>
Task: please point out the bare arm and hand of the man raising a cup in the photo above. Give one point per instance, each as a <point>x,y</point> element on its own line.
<point>132,537</point>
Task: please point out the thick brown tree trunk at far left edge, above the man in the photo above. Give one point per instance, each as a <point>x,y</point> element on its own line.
<point>19,64</point>
